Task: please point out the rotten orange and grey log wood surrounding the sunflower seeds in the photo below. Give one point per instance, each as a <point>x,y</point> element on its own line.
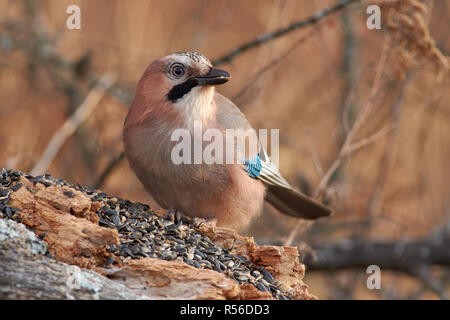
<point>68,227</point>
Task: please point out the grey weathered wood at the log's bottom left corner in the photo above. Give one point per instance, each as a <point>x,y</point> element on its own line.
<point>25,273</point>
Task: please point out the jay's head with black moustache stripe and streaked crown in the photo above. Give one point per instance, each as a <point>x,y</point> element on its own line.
<point>178,86</point>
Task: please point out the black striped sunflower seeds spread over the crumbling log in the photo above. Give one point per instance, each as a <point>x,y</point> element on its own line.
<point>143,233</point>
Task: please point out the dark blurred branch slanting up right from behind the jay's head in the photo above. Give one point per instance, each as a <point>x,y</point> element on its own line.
<point>266,37</point>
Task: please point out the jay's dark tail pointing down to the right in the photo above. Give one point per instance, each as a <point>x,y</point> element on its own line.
<point>296,204</point>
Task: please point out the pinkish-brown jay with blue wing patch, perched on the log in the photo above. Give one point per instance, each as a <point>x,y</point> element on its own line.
<point>227,192</point>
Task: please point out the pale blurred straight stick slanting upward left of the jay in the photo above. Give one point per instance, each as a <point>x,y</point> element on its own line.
<point>71,125</point>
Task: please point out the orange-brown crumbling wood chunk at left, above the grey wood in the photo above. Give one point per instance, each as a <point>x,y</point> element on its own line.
<point>69,225</point>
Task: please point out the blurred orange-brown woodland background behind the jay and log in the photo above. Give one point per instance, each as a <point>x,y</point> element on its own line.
<point>390,189</point>
